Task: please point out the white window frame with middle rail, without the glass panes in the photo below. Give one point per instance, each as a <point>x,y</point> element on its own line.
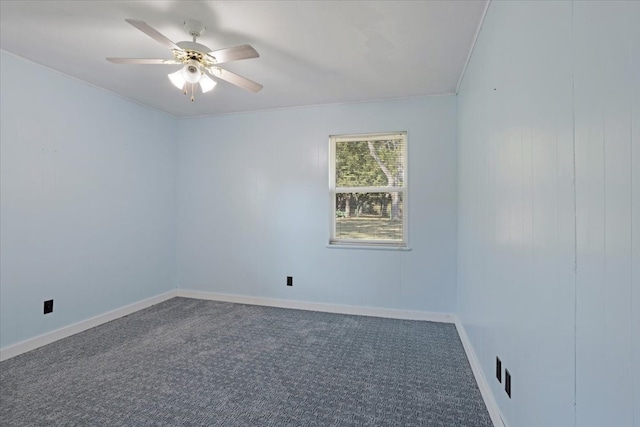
<point>333,190</point>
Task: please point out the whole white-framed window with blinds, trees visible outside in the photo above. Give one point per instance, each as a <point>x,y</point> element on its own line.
<point>368,189</point>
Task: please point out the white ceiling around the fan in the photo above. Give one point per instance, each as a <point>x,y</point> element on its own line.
<point>311,52</point>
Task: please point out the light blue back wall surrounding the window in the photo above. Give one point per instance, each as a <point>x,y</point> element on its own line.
<point>253,207</point>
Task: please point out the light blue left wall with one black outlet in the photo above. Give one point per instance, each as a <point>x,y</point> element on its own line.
<point>87,214</point>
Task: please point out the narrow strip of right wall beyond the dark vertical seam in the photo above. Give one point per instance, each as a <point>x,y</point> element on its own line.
<point>607,127</point>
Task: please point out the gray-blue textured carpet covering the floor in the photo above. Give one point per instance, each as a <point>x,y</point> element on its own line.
<point>188,362</point>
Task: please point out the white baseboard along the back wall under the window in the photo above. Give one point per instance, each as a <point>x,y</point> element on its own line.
<point>324,307</point>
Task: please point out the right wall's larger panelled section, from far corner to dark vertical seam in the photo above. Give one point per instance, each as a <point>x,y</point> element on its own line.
<point>516,211</point>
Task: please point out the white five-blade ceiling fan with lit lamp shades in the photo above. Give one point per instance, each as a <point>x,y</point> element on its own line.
<point>199,63</point>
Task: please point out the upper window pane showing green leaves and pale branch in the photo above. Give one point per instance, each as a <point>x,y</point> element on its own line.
<point>370,163</point>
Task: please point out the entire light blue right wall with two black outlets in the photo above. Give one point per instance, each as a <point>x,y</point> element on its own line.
<point>548,270</point>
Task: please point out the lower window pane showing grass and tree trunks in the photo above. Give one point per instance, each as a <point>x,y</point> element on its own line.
<point>369,216</point>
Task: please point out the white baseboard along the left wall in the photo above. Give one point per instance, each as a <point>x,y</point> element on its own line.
<point>44,339</point>
